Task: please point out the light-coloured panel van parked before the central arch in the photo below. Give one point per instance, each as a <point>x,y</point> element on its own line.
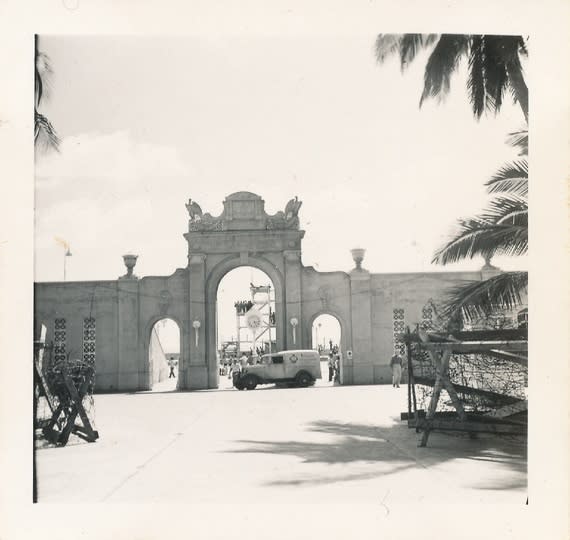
<point>301,367</point>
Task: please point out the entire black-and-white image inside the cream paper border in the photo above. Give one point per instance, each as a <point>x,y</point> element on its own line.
<point>298,263</point>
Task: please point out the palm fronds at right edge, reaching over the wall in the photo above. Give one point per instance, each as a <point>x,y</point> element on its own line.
<point>501,230</point>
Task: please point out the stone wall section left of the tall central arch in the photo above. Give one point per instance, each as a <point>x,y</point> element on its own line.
<point>120,315</point>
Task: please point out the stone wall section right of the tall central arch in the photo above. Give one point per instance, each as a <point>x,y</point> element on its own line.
<point>371,308</point>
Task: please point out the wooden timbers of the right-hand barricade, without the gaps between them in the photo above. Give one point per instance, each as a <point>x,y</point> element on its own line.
<point>504,345</point>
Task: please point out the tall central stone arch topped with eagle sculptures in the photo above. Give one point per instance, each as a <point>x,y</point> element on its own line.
<point>243,235</point>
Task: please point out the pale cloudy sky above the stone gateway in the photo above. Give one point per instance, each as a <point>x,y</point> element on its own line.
<point>147,122</point>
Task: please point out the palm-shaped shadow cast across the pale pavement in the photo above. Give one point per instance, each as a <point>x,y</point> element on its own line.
<point>398,445</point>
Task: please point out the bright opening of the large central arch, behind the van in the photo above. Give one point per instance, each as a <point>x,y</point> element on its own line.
<point>245,320</point>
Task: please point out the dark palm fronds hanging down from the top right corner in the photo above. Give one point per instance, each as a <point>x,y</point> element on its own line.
<point>494,64</point>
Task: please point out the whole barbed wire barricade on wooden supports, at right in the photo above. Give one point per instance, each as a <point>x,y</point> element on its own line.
<point>473,381</point>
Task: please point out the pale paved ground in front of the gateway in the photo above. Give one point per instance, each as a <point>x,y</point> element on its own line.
<point>309,445</point>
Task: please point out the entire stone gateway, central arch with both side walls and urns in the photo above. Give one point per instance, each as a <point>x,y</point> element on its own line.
<point>110,322</point>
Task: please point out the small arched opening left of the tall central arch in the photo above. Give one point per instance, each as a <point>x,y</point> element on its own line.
<point>164,355</point>
